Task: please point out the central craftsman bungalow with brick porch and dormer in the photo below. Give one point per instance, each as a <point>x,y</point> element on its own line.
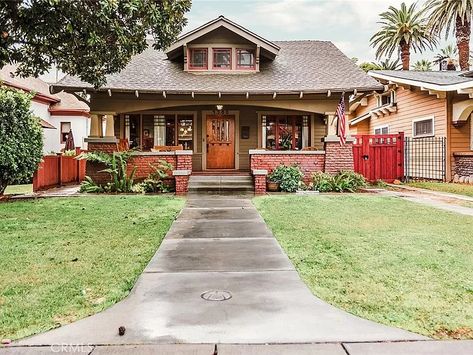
<point>223,99</point>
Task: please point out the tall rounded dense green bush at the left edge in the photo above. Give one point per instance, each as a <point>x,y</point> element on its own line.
<point>21,137</point>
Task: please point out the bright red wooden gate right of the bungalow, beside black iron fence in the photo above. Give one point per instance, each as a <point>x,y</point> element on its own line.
<point>379,156</point>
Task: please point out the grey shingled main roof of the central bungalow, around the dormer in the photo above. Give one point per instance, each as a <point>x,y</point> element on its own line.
<point>307,66</point>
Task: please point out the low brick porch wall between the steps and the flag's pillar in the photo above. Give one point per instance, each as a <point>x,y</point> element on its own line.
<point>308,162</point>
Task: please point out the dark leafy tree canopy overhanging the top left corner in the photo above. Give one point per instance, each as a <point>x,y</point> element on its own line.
<point>87,38</point>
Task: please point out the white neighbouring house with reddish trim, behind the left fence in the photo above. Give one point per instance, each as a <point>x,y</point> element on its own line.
<point>59,112</point>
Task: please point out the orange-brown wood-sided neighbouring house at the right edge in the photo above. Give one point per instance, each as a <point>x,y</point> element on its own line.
<point>425,106</point>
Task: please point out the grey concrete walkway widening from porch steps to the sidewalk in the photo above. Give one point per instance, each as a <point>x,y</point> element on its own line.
<point>222,244</point>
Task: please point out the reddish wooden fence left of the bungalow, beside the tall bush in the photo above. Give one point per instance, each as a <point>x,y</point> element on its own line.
<point>58,170</point>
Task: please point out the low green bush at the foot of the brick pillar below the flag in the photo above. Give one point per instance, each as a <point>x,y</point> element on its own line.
<point>343,181</point>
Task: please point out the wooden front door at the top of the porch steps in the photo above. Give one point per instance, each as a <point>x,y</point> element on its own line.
<point>220,142</point>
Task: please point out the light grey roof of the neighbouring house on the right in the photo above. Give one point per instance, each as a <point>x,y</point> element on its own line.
<point>432,80</point>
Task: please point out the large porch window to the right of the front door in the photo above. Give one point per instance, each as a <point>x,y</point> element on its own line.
<point>284,132</point>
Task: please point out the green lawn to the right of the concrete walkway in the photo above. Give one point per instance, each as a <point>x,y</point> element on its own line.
<point>381,258</point>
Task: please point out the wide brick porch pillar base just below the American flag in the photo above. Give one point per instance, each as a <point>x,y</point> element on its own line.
<point>338,157</point>
